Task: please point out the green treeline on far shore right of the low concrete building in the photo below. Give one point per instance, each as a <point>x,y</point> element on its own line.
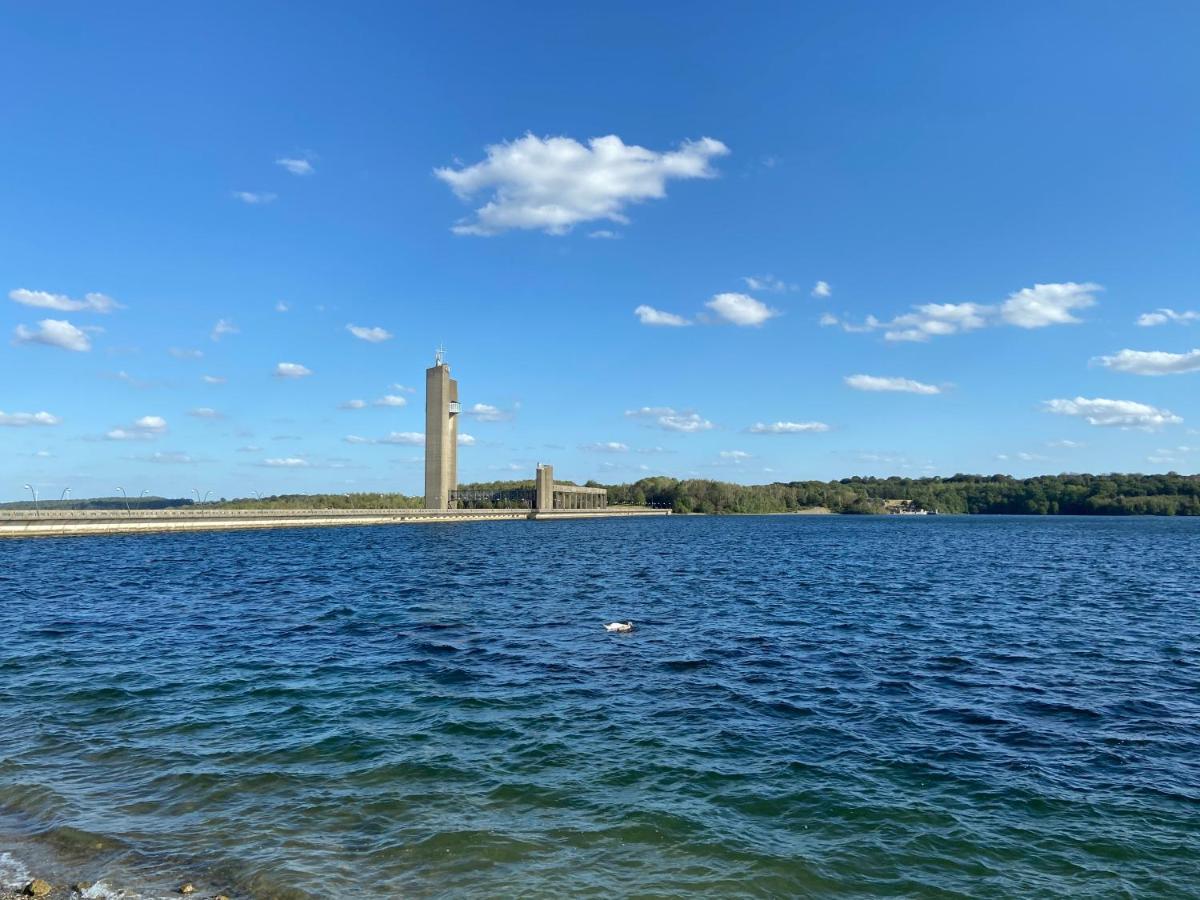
<point>1114,495</point>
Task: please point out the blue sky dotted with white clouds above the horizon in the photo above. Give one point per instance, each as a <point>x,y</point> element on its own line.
<point>617,221</point>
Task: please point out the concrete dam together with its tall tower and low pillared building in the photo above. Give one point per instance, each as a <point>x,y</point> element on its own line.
<point>445,501</point>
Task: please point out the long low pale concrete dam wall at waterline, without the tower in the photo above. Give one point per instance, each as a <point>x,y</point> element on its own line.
<point>26,524</point>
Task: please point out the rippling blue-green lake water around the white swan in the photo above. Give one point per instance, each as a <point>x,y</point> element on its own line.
<point>808,706</point>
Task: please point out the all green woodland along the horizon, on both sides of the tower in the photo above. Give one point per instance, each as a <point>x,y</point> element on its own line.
<point>1114,495</point>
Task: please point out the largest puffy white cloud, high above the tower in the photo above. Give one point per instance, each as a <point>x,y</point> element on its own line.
<point>554,184</point>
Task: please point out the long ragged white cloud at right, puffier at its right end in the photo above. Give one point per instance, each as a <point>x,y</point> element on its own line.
<point>1030,308</point>
